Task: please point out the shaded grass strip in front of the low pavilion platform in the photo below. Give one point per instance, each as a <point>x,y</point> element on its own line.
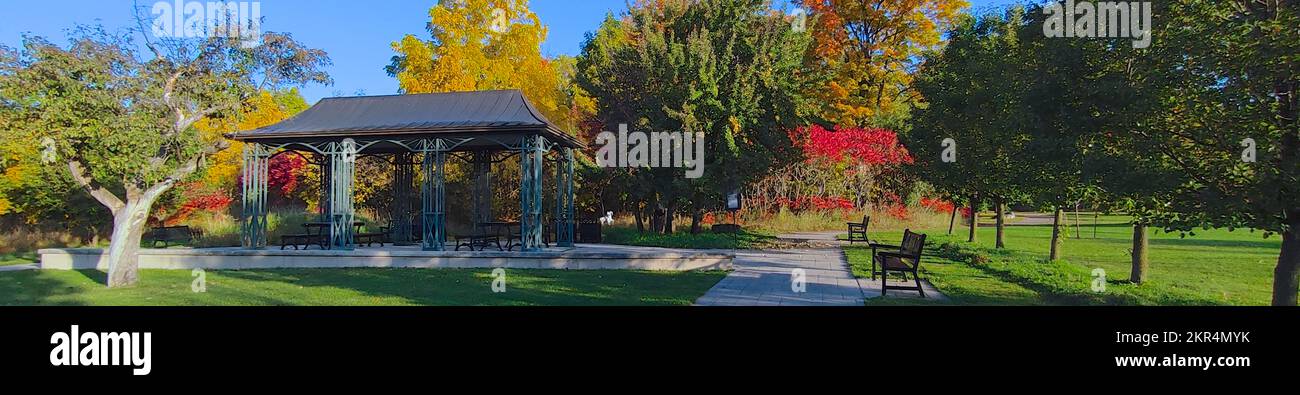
<point>361,288</point>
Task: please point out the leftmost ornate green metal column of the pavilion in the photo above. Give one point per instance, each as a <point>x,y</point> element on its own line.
<point>254,222</point>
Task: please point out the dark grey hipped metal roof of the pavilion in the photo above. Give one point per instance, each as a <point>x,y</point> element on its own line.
<point>505,111</point>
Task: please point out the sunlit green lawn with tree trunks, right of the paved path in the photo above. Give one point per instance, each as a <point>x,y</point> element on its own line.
<point>1212,267</point>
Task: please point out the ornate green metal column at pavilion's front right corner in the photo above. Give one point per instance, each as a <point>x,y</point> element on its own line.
<point>531,153</point>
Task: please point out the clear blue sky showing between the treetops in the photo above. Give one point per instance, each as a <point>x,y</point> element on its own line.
<point>356,34</point>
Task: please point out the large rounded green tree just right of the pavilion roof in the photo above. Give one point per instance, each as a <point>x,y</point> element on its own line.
<point>733,71</point>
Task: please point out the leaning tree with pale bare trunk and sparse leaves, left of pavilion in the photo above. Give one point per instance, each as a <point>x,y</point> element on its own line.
<point>124,124</point>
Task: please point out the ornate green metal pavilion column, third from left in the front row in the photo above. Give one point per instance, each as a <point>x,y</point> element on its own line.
<point>434,194</point>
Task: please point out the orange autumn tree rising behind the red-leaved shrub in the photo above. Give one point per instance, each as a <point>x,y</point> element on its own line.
<point>873,49</point>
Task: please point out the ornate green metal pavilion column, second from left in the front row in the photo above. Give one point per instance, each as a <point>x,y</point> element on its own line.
<point>343,215</point>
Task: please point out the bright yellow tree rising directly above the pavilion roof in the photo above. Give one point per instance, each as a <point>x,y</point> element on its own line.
<point>486,45</point>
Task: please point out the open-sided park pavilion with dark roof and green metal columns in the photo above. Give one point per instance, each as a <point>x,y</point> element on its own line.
<point>415,131</point>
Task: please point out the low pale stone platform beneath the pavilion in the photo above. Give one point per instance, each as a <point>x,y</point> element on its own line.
<point>582,258</point>
